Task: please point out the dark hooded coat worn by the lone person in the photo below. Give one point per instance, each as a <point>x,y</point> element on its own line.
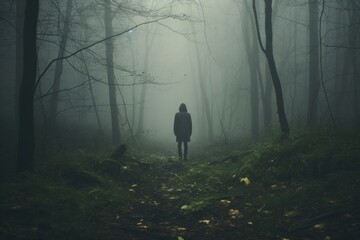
<point>182,125</point>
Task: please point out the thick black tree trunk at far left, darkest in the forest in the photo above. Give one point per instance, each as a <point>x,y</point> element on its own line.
<point>26,145</point>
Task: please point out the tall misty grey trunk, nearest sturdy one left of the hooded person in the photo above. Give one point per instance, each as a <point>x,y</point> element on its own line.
<point>109,52</point>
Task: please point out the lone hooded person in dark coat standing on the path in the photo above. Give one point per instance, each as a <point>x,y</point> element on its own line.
<point>182,129</point>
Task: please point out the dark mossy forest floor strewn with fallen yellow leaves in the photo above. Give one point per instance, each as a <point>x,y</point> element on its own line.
<point>305,187</point>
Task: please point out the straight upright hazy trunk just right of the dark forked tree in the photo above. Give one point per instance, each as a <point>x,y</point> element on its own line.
<point>314,80</point>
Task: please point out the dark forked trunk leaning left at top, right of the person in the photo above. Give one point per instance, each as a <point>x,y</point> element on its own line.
<point>268,50</point>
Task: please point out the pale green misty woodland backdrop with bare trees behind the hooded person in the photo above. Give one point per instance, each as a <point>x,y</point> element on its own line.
<point>117,71</point>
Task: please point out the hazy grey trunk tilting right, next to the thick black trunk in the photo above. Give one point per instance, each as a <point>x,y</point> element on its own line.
<point>54,100</point>
